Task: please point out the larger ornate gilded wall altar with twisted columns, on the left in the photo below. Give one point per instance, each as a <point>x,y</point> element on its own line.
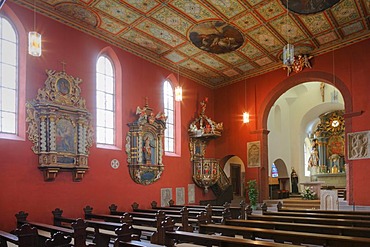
<point>59,126</point>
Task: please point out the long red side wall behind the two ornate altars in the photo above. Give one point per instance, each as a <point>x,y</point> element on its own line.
<point>22,183</point>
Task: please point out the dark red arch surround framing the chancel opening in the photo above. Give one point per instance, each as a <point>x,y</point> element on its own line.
<point>268,103</point>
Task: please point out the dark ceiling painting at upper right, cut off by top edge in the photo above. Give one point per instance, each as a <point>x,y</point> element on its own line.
<point>308,6</point>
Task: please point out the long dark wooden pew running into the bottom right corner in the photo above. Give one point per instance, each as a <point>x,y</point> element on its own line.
<point>284,236</point>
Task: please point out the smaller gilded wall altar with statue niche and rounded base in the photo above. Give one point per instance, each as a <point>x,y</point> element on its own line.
<point>144,146</point>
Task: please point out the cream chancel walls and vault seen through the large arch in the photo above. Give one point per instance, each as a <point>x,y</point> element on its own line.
<point>294,118</point>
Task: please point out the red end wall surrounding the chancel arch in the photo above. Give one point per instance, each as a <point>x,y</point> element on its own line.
<point>351,68</point>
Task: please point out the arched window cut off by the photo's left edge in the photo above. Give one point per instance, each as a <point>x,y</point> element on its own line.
<point>9,91</point>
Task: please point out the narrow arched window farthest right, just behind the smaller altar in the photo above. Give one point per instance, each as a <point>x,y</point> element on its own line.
<point>169,111</point>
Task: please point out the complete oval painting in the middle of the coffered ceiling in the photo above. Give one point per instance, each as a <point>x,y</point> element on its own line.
<point>216,37</point>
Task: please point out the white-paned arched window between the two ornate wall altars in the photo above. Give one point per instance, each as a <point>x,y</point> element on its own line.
<point>105,102</point>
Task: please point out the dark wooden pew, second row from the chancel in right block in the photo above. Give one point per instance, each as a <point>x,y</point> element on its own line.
<point>316,215</point>
